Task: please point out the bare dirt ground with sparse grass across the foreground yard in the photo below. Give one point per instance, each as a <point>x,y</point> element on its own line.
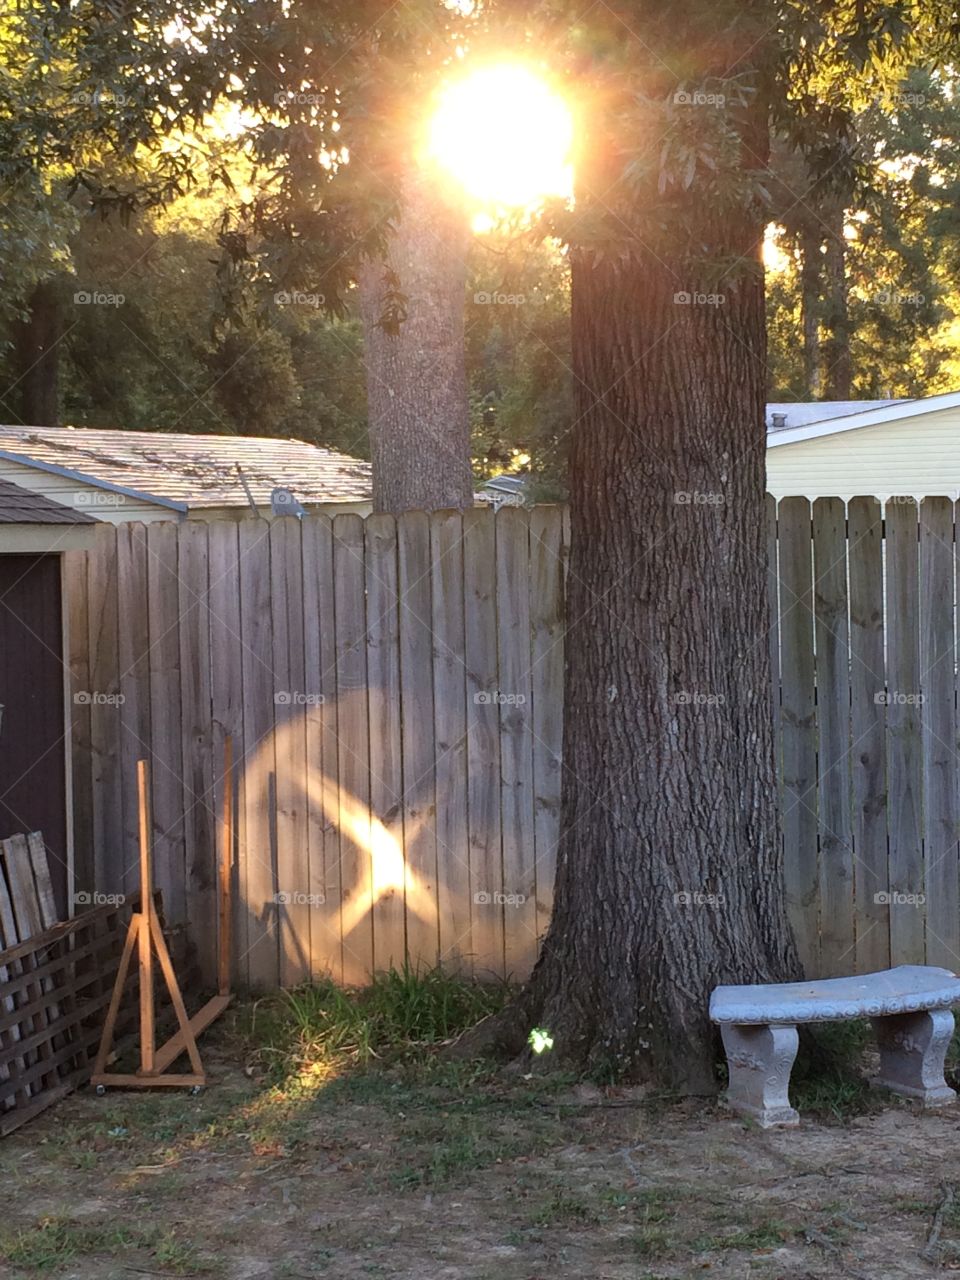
<point>468,1177</point>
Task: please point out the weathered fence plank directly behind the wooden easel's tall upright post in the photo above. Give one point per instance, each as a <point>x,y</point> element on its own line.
<point>135,662</point>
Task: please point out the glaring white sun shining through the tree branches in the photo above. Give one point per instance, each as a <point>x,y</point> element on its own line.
<point>505,135</point>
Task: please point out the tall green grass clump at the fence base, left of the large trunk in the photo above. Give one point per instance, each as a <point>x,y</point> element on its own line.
<point>403,1017</point>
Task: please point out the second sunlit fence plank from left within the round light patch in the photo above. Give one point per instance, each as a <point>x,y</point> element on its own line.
<point>291,696</point>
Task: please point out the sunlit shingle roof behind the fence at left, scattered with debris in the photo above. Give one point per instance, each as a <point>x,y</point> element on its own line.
<point>196,470</point>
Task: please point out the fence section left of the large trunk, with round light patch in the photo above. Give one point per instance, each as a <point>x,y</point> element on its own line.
<point>394,693</point>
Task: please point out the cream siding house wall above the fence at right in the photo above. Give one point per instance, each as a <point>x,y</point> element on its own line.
<point>918,456</point>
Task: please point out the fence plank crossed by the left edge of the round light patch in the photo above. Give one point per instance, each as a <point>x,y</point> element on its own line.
<point>258,876</point>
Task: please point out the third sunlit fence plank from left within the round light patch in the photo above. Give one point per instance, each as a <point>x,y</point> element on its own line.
<point>323,812</point>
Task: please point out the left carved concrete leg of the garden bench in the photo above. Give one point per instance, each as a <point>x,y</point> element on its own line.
<point>761,1060</point>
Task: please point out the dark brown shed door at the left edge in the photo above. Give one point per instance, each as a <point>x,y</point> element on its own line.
<point>33,761</point>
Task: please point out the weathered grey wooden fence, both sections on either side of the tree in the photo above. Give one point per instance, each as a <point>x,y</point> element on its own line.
<point>394,689</point>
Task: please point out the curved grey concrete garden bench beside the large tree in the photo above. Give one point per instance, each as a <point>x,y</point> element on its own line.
<point>909,1008</point>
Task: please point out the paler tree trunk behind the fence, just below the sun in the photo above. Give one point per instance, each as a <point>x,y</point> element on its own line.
<point>417,376</point>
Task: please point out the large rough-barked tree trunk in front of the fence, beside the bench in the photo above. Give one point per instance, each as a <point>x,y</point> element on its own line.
<point>670,868</point>
